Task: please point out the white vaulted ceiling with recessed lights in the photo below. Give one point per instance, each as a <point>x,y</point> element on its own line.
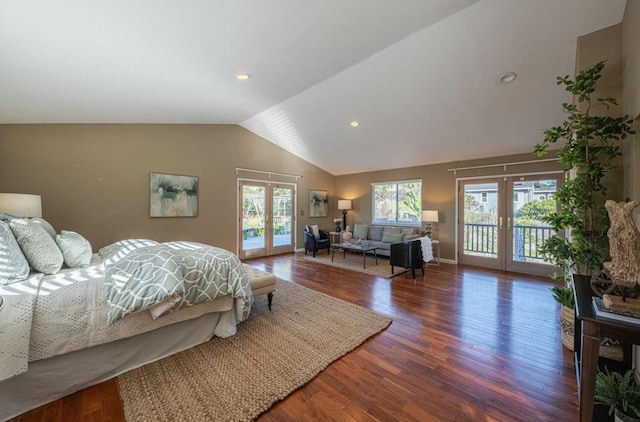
<point>421,76</point>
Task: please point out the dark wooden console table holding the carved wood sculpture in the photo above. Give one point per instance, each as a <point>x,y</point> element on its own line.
<point>589,330</point>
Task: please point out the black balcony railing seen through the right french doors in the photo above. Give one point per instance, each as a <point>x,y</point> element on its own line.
<point>482,240</point>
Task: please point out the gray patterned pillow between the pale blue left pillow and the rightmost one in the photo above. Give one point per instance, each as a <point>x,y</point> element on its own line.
<point>40,249</point>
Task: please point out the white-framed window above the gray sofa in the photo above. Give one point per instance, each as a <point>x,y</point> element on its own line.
<point>397,202</point>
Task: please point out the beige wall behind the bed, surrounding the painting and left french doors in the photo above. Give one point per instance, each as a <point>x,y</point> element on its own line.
<point>94,179</point>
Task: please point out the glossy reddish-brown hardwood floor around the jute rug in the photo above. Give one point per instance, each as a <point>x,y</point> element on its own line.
<point>467,345</point>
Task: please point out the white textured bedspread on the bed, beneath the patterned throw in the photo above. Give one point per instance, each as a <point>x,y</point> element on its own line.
<point>69,313</point>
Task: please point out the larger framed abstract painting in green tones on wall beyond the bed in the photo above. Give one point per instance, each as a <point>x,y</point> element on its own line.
<point>173,195</point>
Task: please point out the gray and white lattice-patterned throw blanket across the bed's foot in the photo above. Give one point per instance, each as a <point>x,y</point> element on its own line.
<point>143,274</point>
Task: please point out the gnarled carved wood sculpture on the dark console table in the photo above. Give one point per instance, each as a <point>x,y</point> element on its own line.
<point>621,275</point>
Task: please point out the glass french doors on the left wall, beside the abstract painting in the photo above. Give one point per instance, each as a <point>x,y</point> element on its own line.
<point>266,220</point>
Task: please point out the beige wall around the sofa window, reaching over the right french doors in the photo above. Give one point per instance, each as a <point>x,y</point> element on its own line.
<point>438,190</point>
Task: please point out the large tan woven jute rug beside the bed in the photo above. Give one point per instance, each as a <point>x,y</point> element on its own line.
<point>273,354</point>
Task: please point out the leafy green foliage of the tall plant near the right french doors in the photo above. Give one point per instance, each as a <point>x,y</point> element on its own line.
<point>592,143</point>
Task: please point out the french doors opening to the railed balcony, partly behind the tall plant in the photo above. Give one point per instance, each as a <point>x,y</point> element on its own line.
<point>500,222</point>
